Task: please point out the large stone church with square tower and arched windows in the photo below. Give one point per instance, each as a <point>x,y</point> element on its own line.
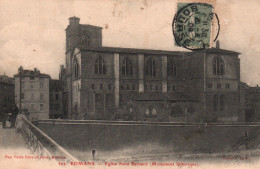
<point>112,83</point>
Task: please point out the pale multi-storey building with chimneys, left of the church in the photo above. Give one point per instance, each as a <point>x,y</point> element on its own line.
<point>32,92</point>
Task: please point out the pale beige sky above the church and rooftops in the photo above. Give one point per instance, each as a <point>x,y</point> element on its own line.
<point>32,32</point>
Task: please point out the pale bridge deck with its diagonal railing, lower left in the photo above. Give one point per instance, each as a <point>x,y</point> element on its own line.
<point>30,143</point>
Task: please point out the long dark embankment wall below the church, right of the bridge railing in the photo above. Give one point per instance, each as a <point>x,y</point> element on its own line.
<point>132,139</point>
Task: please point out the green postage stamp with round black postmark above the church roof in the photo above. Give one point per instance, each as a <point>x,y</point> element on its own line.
<point>192,26</point>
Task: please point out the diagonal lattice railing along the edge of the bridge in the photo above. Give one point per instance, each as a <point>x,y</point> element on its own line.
<point>42,145</point>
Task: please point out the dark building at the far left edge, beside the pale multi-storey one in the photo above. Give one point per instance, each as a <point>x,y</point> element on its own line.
<point>6,93</point>
